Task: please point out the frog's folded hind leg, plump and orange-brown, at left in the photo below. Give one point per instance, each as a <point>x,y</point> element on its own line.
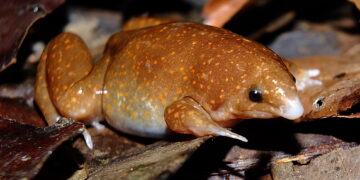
<point>67,82</point>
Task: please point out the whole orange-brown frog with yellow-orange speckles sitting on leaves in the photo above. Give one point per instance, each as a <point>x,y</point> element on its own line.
<point>186,77</point>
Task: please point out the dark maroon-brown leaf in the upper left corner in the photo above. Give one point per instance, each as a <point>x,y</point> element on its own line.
<point>16,17</point>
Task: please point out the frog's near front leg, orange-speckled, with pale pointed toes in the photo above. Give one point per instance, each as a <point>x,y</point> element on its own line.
<point>186,116</point>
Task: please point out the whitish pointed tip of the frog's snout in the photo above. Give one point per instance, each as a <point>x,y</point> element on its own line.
<point>292,109</point>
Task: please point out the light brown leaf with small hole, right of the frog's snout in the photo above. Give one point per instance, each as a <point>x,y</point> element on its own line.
<point>340,88</point>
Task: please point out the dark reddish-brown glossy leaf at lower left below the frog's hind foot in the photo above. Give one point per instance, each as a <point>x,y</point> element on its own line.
<point>24,148</point>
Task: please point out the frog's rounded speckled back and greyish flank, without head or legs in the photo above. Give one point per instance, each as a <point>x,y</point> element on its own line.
<point>155,66</point>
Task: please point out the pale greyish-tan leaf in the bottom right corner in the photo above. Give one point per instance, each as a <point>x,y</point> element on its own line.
<point>342,163</point>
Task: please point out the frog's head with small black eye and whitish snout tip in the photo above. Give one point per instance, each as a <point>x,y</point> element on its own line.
<point>270,93</point>
